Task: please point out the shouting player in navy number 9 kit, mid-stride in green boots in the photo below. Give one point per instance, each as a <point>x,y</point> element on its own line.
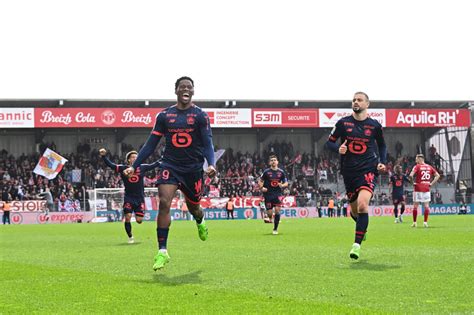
<point>188,135</point>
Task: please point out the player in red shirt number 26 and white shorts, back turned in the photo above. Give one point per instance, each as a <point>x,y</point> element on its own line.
<point>425,177</point>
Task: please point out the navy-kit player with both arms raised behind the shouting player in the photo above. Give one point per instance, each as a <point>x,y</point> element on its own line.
<point>134,198</point>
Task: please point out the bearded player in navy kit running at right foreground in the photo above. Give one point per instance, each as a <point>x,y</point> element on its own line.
<point>363,154</point>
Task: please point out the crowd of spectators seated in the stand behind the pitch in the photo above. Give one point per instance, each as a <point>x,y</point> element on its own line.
<point>238,173</point>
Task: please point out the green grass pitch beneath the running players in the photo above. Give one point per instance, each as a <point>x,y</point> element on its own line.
<point>242,268</point>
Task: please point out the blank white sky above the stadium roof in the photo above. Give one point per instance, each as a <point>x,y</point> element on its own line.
<point>235,50</point>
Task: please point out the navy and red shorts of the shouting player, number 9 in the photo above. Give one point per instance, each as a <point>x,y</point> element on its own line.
<point>190,184</point>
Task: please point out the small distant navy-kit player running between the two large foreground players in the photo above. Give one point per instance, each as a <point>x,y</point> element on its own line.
<point>271,182</point>
